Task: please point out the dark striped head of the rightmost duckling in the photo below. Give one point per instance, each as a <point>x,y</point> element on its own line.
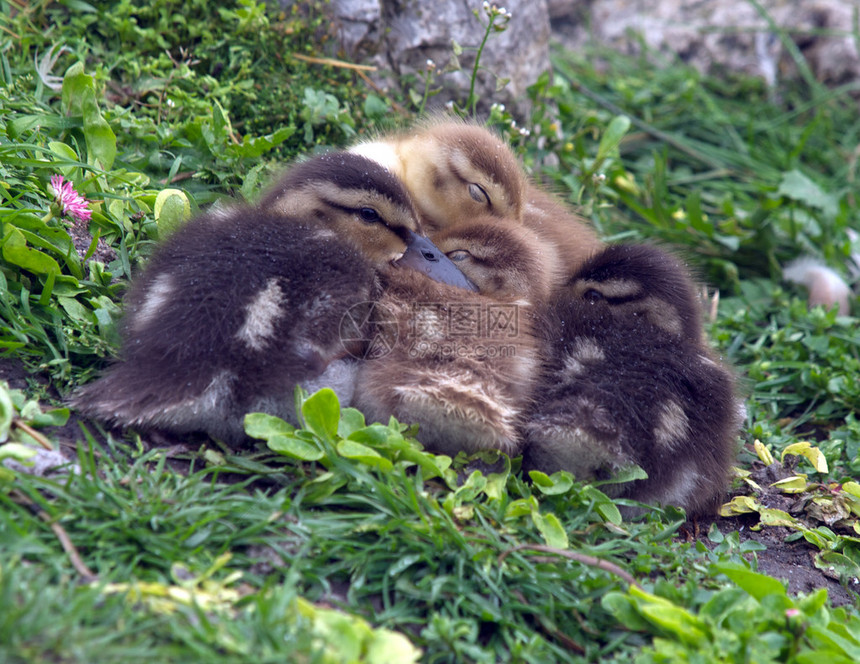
<point>635,285</point>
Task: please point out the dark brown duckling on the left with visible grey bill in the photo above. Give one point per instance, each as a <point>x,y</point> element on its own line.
<point>240,305</point>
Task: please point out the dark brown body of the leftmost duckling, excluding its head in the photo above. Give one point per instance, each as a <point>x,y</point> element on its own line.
<point>231,313</point>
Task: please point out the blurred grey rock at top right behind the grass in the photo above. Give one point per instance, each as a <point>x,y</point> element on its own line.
<point>718,35</point>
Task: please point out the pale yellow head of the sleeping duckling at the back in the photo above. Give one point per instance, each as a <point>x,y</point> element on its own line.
<point>454,171</point>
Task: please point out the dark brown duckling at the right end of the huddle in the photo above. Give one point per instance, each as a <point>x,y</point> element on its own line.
<point>630,380</point>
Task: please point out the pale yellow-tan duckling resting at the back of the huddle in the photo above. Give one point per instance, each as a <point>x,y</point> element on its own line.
<point>457,171</point>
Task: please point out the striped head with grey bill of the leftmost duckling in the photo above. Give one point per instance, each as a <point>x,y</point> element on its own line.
<point>357,199</point>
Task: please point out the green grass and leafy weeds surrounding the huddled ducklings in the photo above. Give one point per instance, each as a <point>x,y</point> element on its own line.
<point>280,554</point>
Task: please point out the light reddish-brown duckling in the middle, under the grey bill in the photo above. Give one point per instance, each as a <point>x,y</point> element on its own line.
<point>465,363</point>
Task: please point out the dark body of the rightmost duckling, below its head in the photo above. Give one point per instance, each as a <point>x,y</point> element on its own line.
<point>665,406</point>
